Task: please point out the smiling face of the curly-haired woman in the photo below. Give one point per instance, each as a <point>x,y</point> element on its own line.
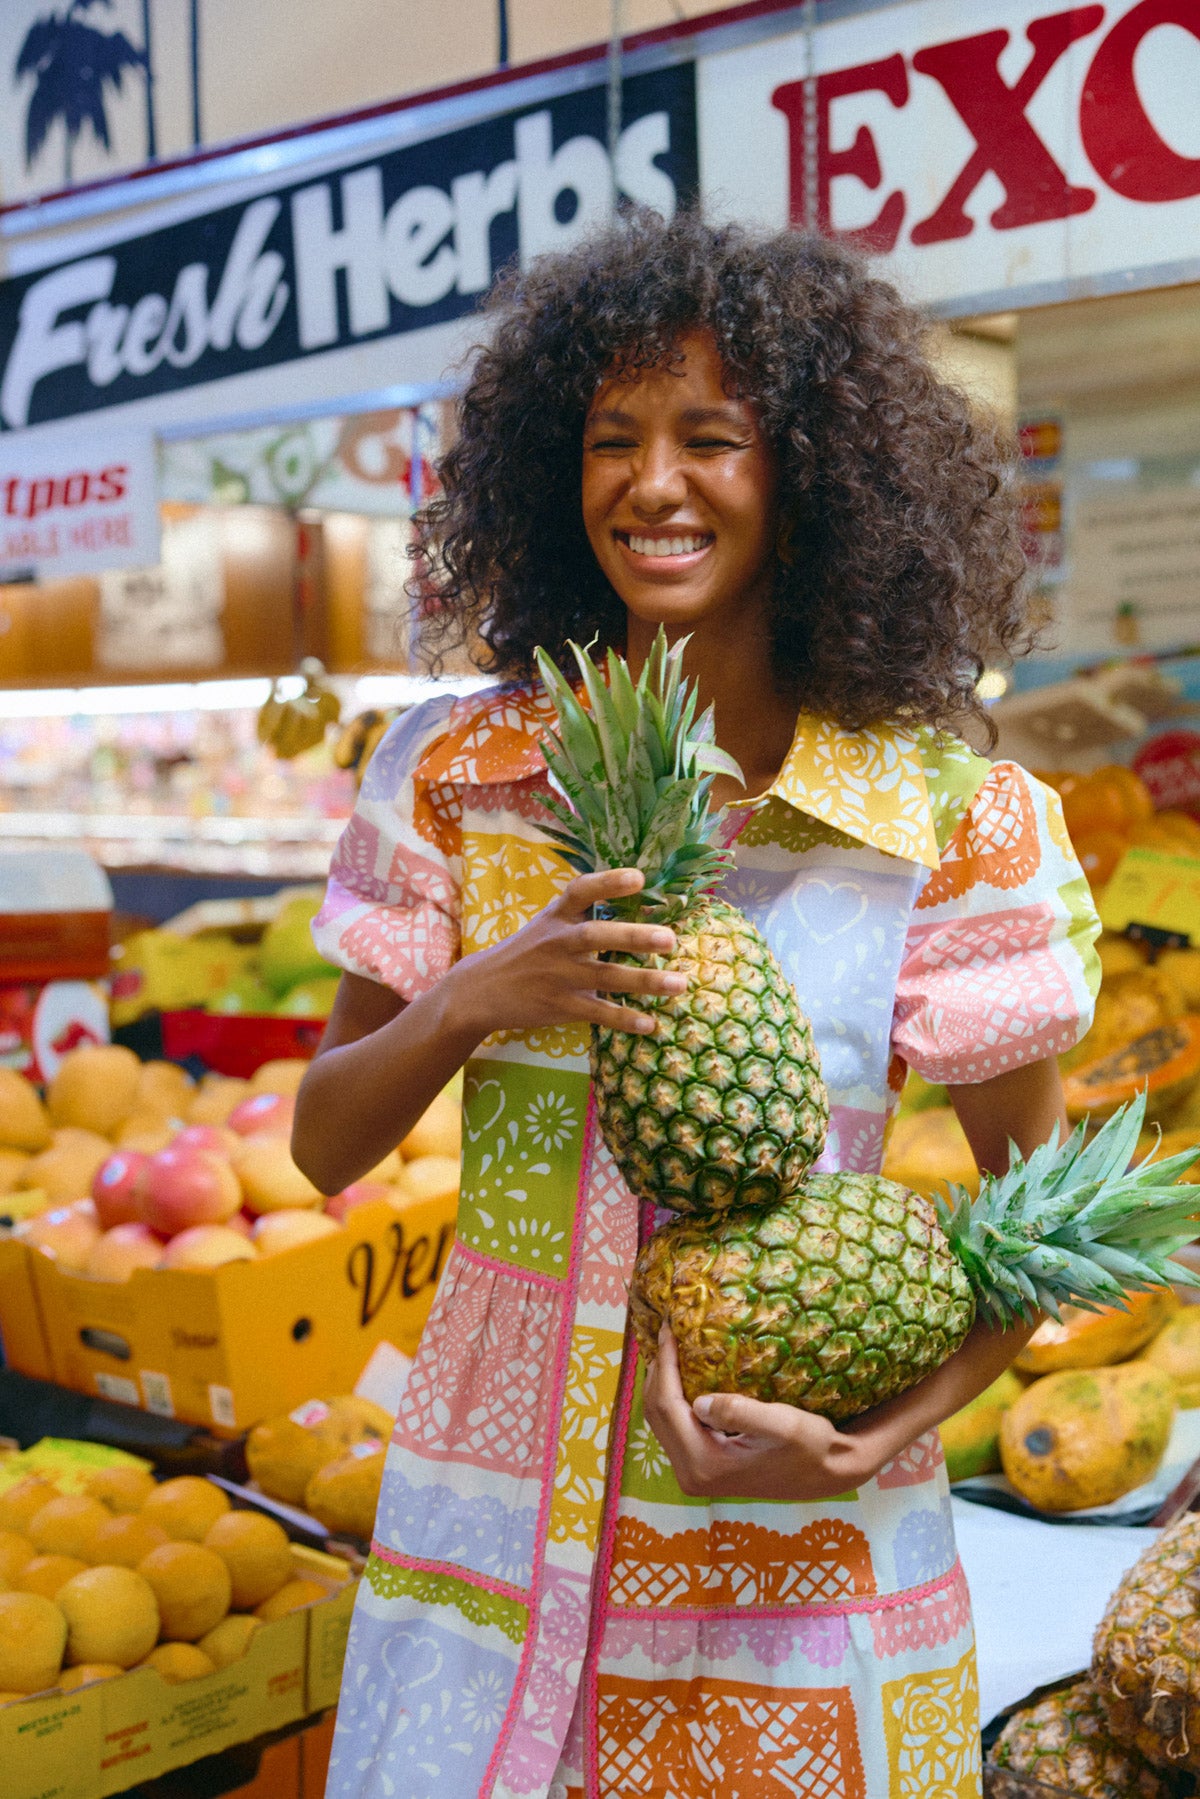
<point>681,494</point>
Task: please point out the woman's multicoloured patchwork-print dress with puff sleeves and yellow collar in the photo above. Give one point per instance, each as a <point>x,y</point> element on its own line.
<point>544,1611</point>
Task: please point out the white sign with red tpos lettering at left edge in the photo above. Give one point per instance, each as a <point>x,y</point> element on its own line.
<point>76,503</point>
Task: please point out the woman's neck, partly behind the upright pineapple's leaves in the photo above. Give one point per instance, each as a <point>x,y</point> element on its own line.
<point>733,670</point>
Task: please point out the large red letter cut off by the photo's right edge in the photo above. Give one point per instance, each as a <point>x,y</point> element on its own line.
<point>1120,141</point>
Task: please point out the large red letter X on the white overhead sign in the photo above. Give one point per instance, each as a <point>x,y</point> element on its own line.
<point>1035,188</point>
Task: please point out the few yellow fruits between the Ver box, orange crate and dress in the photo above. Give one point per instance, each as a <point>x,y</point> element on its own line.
<point>328,1458</point>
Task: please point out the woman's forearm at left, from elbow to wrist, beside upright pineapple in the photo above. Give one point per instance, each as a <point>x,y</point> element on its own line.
<point>361,1098</point>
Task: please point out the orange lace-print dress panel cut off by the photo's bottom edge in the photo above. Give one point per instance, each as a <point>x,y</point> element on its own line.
<point>695,1739</point>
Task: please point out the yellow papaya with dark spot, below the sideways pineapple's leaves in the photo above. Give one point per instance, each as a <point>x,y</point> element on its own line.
<point>1088,1437</point>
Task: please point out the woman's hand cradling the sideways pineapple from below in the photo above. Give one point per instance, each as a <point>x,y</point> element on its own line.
<point>730,1447</point>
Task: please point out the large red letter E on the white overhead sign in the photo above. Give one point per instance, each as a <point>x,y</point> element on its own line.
<point>859,159</point>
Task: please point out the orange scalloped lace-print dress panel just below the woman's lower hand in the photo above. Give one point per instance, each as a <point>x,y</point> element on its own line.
<point>739,1564</point>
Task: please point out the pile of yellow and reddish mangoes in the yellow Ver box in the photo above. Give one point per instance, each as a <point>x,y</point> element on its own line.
<point>130,1165</point>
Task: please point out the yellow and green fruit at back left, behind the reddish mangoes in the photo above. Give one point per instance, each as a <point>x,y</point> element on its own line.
<point>280,974</point>
